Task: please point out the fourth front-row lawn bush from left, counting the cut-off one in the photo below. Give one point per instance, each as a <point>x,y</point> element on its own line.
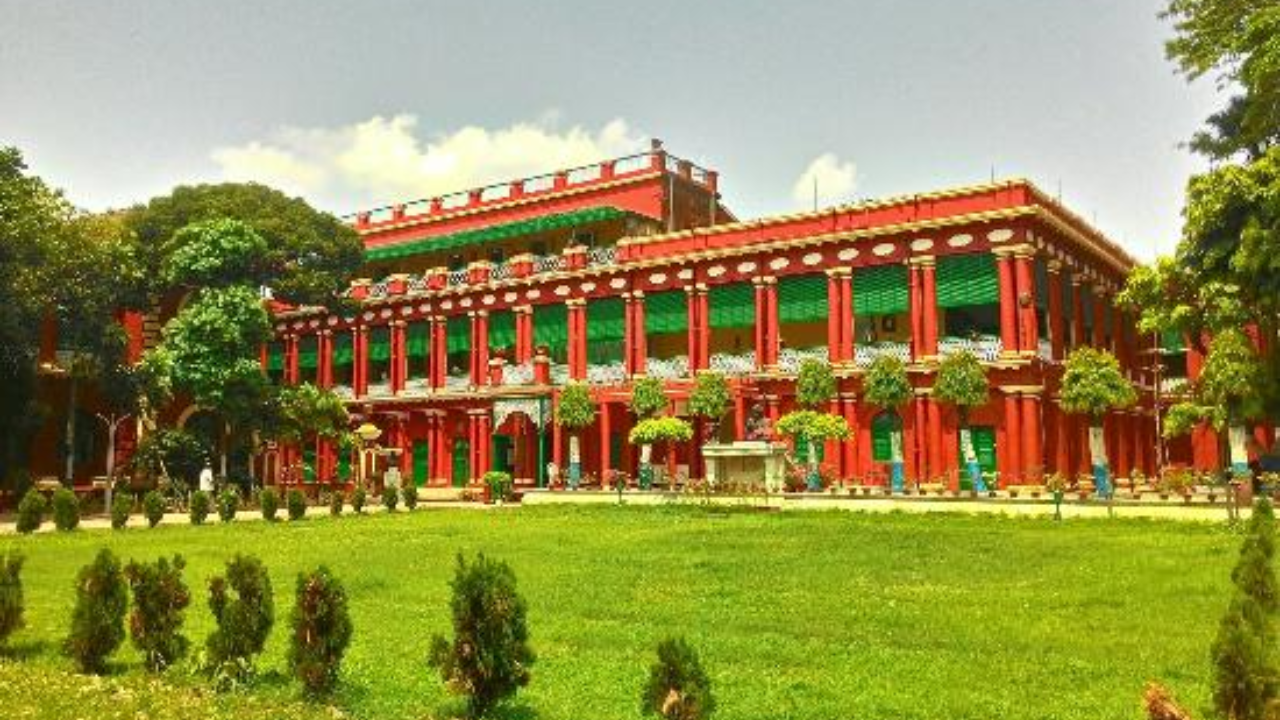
<point>243,607</point>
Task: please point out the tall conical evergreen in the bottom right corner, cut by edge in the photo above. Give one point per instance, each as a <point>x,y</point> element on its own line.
<point>1246,671</point>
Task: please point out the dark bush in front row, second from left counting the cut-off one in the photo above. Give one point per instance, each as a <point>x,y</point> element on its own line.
<point>98,621</point>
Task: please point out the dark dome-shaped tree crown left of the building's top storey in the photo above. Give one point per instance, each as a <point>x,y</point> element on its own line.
<point>308,259</point>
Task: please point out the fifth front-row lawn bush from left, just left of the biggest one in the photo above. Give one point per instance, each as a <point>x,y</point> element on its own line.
<point>322,631</point>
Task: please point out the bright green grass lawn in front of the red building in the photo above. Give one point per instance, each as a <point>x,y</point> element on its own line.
<point>798,616</point>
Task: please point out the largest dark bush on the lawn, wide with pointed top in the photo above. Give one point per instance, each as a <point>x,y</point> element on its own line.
<point>490,659</point>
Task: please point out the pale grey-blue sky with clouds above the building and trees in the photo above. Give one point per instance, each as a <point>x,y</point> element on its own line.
<point>355,106</point>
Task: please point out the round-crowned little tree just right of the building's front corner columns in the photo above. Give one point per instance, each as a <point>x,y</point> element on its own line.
<point>1094,386</point>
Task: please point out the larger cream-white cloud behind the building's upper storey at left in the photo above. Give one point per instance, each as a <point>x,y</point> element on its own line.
<point>383,161</point>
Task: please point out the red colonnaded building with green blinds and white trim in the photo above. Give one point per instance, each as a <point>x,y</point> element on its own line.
<point>490,302</point>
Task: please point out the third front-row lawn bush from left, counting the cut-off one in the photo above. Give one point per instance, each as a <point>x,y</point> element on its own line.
<point>159,601</point>
